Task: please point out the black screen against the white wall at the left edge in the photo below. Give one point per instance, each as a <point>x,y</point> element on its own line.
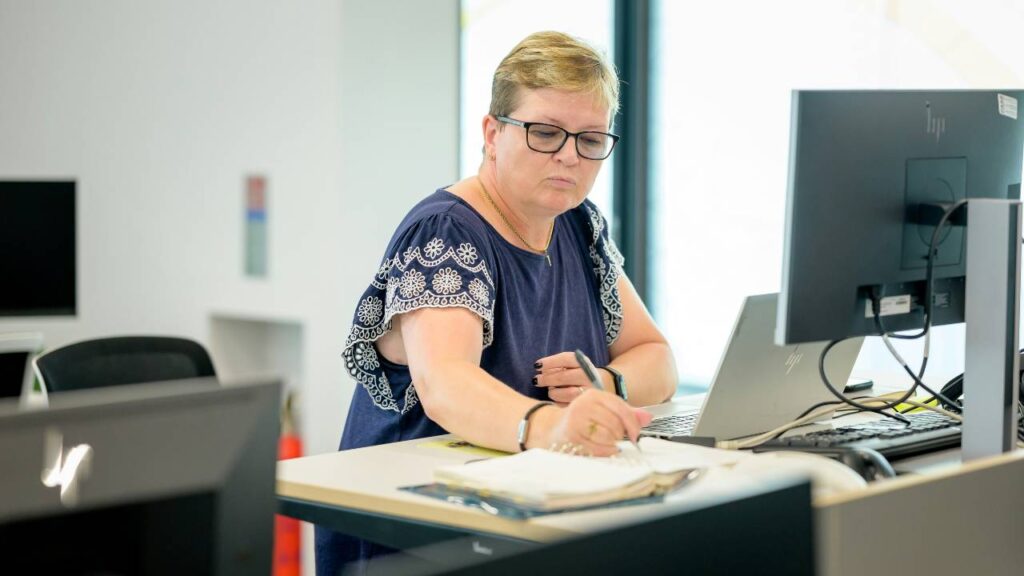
<point>37,249</point>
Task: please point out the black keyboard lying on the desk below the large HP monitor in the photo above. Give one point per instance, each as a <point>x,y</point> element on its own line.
<point>928,432</point>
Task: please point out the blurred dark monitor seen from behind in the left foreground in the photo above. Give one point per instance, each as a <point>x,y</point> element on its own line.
<point>169,478</point>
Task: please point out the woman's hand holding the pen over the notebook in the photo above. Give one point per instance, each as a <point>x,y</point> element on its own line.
<point>595,422</point>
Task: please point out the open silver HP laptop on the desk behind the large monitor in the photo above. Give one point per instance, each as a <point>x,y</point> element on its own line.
<point>758,386</point>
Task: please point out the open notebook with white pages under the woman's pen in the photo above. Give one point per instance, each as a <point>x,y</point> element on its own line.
<point>543,480</point>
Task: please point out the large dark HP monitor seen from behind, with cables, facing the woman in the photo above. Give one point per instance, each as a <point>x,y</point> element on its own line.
<point>862,166</point>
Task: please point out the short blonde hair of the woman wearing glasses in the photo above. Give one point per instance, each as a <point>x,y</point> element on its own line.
<point>553,60</point>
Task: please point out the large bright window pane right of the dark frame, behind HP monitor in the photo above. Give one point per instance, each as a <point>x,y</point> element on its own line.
<point>722,85</point>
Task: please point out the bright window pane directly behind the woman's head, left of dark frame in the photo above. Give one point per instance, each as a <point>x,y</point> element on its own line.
<point>490,30</point>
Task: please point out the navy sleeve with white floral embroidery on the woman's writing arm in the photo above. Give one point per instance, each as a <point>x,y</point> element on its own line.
<point>436,263</point>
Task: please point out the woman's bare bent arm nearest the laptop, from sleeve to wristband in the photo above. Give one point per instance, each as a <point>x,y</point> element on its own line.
<point>642,353</point>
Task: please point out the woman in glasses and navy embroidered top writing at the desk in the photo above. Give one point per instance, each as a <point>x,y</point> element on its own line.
<point>489,285</point>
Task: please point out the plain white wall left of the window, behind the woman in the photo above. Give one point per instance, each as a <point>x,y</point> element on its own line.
<point>159,109</point>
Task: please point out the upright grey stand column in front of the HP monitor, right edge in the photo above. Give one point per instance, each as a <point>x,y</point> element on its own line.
<point>993,314</point>
